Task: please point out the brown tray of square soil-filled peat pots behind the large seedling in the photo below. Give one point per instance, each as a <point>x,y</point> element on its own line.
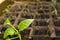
<point>44,25</point>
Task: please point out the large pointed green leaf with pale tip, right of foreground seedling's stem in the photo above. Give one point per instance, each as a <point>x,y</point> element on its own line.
<point>24,24</point>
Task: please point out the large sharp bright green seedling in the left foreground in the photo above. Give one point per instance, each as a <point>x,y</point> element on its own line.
<point>12,30</point>
